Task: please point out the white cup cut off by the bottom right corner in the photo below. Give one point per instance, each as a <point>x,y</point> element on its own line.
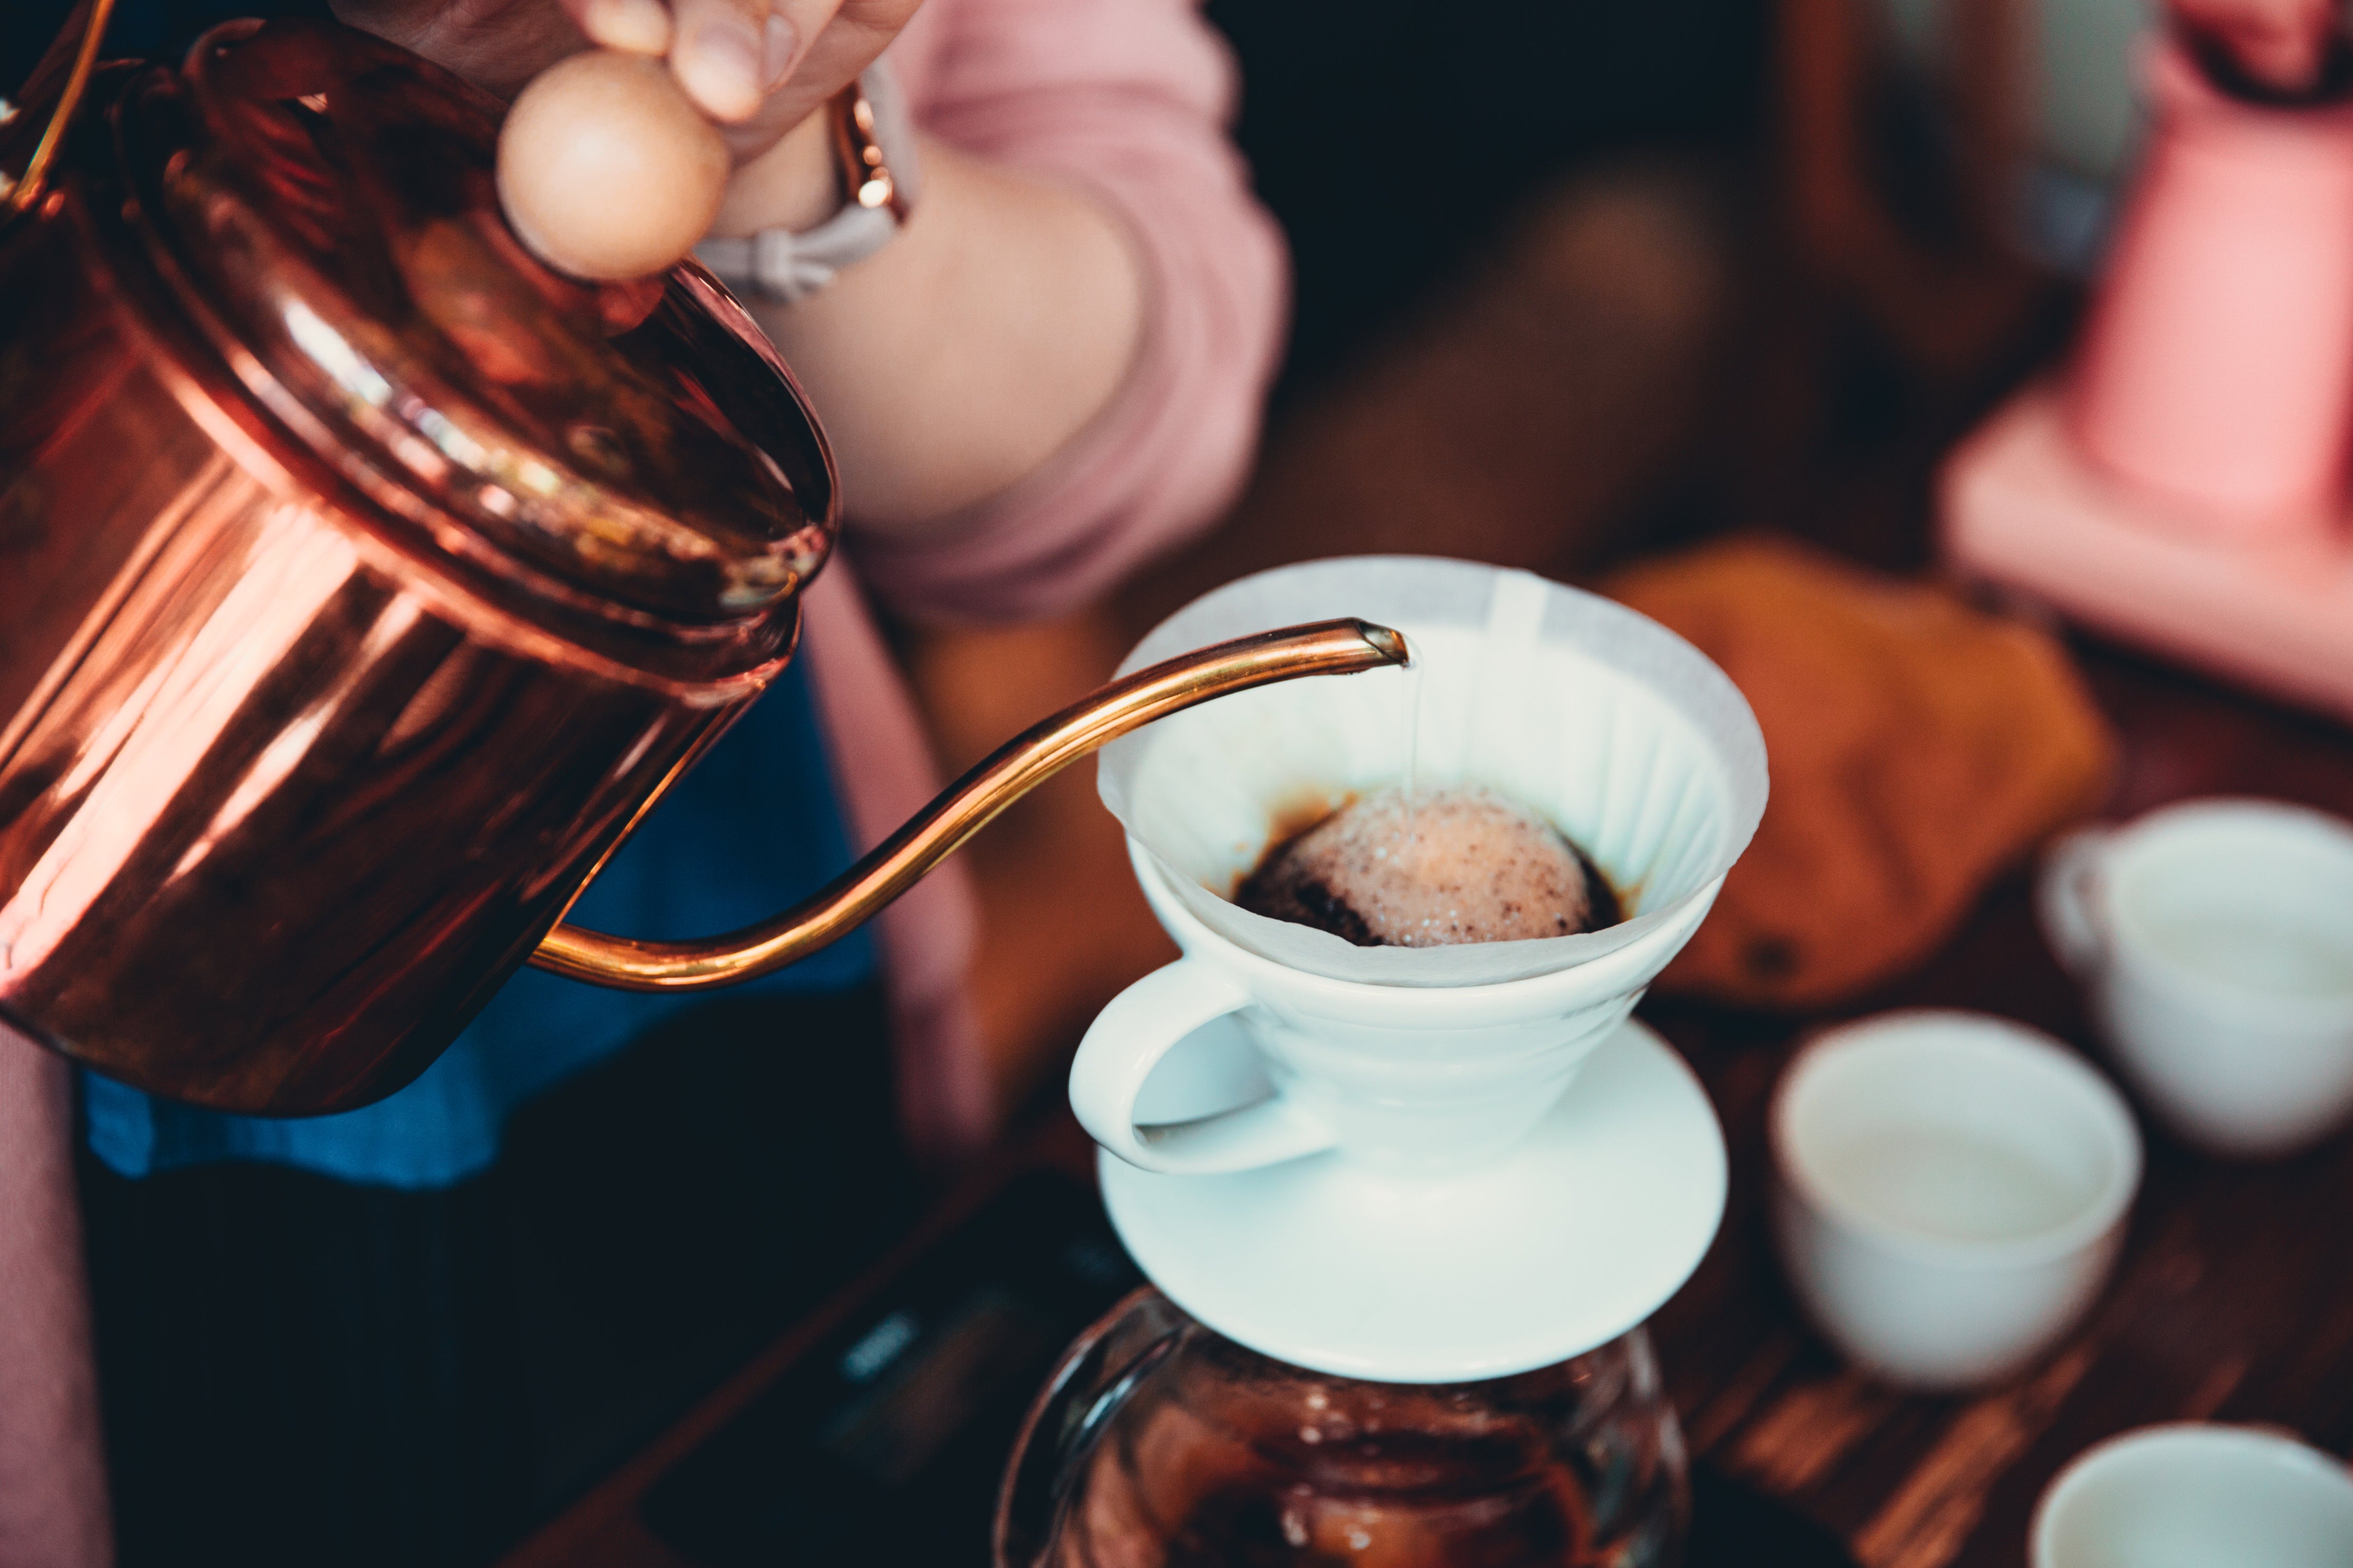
<point>2197,1496</point>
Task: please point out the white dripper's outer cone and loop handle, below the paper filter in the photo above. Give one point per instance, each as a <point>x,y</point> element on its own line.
<point>1401,1078</point>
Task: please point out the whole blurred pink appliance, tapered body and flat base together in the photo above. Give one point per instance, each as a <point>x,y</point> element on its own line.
<point>2185,485</point>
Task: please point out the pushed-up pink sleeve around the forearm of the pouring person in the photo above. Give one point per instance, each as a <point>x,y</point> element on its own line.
<point>1128,100</point>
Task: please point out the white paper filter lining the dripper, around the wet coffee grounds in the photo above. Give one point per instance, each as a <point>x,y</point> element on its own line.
<point>1627,737</point>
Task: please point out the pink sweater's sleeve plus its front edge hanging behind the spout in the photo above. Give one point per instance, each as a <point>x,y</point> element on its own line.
<point>1128,100</point>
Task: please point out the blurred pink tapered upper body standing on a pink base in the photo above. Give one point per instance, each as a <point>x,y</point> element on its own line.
<point>2218,368</point>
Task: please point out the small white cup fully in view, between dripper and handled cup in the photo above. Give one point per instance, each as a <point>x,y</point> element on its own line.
<point>1949,1193</point>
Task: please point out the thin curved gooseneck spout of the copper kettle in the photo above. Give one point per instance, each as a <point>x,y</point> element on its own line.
<point>1326,648</point>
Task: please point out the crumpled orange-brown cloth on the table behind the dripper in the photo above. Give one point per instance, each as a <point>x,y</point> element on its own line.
<point>1917,749</point>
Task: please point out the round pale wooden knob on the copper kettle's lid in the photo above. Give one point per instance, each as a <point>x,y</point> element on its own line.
<point>606,168</point>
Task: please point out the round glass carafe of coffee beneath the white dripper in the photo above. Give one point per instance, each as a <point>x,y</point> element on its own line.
<point>1164,1445</point>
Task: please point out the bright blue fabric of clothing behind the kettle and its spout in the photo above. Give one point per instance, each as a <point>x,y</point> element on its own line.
<point>747,831</point>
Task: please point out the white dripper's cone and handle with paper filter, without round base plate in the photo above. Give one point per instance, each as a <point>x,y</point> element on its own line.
<point>1415,1059</point>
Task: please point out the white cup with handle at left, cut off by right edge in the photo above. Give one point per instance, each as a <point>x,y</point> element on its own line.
<point>2215,942</point>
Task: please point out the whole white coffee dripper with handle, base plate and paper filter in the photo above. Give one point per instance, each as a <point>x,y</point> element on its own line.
<point>1422,1165</point>
